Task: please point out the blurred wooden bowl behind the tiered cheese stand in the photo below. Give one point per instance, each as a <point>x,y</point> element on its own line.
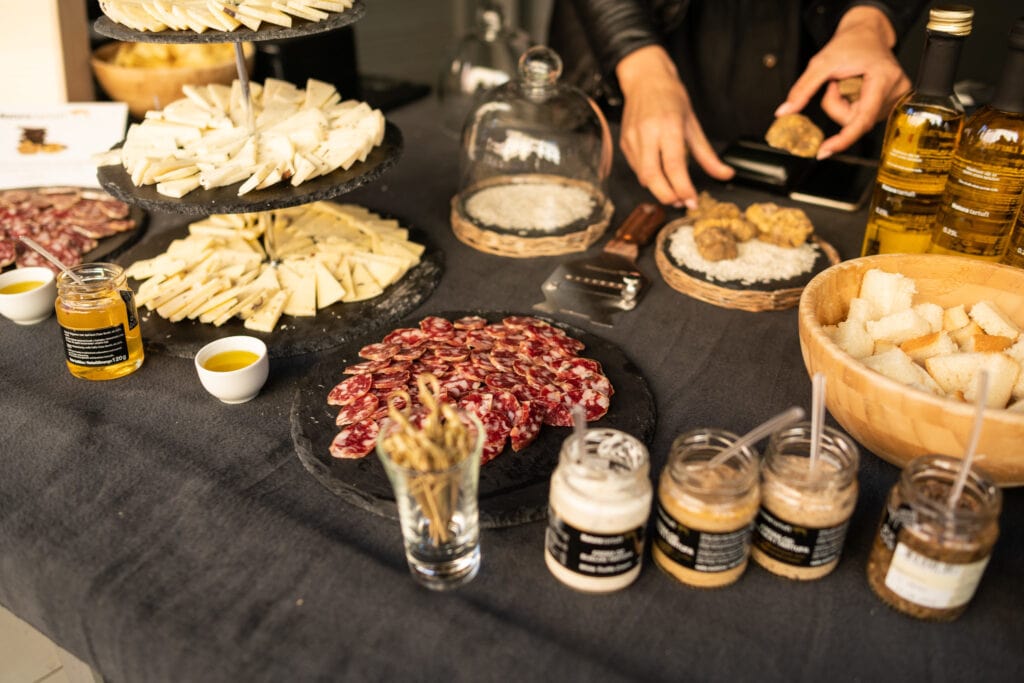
<point>145,89</point>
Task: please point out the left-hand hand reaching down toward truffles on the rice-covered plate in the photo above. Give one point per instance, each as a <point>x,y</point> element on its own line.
<point>660,129</point>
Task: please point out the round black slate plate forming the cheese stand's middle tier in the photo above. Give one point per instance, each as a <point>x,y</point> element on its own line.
<point>117,182</point>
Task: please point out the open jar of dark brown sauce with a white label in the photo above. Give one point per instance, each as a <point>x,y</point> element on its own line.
<point>928,559</point>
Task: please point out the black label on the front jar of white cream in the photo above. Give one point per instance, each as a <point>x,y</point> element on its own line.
<point>593,554</point>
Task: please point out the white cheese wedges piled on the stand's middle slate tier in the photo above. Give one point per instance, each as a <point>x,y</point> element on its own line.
<point>211,139</point>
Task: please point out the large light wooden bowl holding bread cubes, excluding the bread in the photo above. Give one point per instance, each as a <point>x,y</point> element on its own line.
<point>894,421</point>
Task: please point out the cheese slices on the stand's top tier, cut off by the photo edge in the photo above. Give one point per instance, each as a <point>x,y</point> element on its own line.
<point>201,16</point>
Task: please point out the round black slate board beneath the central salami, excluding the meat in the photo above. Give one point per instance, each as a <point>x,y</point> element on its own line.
<point>514,487</point>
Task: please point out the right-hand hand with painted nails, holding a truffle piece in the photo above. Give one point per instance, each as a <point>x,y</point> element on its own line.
<point>862,47</point>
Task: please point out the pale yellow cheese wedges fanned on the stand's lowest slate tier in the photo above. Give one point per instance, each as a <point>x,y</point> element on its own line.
<point>259,267</point>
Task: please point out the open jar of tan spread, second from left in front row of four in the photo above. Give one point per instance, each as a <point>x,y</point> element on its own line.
<point>706,514</point>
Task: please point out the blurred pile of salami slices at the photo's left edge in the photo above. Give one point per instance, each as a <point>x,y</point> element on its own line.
<point>65,221</point>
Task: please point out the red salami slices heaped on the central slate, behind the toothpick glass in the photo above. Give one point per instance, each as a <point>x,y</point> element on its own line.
<point>517,376</point>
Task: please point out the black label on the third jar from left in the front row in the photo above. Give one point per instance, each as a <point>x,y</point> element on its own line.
<point>796,545</point>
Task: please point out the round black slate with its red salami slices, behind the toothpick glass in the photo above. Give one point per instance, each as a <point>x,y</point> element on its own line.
<point>519,373</point>
